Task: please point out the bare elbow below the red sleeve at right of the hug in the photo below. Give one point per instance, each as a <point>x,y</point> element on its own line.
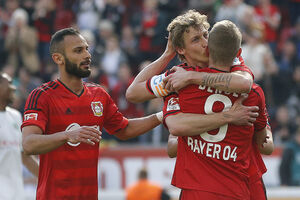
<point>264,140</point>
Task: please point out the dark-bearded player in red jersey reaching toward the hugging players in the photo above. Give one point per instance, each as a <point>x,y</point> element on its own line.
<point>63,120</point>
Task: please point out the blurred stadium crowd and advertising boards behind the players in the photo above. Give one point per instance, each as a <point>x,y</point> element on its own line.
<point>126,35</point>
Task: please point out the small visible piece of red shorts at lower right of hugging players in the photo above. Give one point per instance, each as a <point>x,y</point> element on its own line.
<point>257,190</point>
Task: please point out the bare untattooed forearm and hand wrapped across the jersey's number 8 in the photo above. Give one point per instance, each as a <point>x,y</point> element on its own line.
<point>188,124</point>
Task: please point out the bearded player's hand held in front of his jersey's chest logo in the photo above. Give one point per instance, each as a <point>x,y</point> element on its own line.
<point>85,134</point>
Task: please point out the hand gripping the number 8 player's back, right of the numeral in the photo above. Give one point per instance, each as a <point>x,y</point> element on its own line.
<point>243,115</point>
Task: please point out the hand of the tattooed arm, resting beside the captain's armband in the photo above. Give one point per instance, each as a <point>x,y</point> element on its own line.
<point>177,80</point>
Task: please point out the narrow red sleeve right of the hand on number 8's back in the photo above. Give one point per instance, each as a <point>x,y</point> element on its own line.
<point>262,119</point>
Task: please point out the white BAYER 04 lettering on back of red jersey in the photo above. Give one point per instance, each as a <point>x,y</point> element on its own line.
<point>212,150</point>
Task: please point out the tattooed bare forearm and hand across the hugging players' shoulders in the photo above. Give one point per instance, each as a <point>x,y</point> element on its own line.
<point>239,81</point>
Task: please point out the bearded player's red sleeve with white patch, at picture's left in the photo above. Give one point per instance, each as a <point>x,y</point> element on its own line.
<point>36,109</point>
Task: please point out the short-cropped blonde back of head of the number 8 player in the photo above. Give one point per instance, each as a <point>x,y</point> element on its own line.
<point>224,42</point>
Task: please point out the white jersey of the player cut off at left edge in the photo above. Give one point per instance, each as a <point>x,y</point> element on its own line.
<point>11,178</point>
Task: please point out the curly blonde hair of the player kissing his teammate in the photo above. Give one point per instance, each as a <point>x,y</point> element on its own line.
<point>181,23</point>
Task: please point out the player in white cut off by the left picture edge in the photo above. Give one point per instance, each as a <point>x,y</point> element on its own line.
<point>11,154</point>
